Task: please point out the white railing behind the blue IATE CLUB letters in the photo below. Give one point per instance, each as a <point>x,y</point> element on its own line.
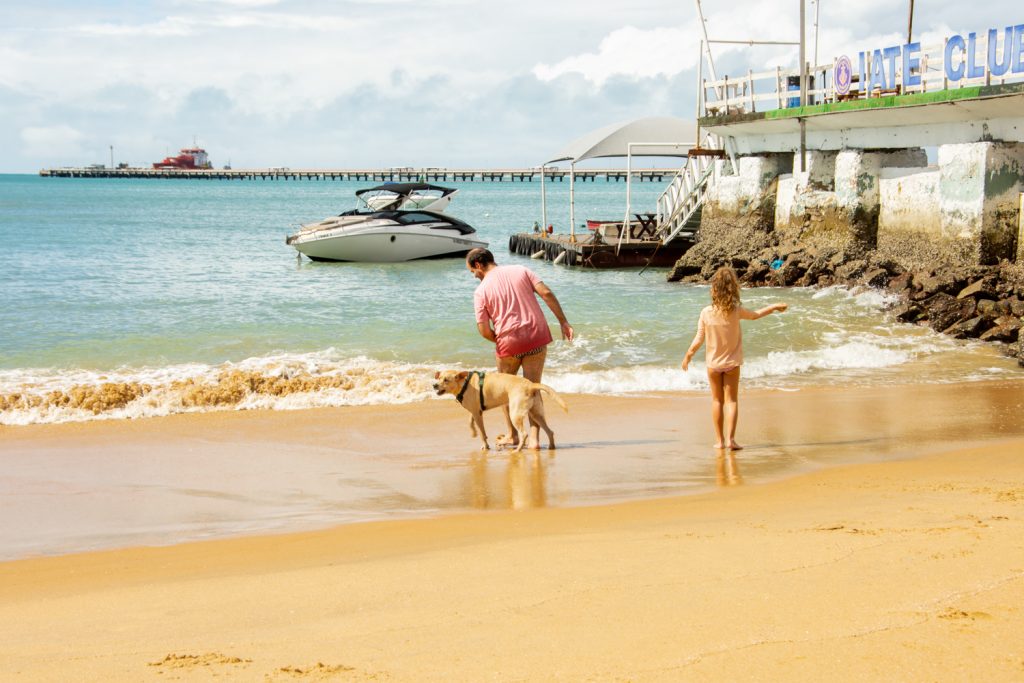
<point>779,89</point>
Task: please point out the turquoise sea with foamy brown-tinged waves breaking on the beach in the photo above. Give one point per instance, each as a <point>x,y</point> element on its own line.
<point>135,298</point>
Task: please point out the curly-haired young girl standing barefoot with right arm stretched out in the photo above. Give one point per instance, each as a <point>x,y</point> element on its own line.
<point>719,326</point>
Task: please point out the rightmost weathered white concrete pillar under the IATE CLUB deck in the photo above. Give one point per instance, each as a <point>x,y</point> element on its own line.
<point>979,189</point>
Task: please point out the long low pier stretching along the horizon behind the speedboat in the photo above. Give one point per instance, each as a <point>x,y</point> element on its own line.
<point>369,176</point>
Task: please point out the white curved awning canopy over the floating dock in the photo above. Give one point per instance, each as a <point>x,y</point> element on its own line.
<point>614,141</point>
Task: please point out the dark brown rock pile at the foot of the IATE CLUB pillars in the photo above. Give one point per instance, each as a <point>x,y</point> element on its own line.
<point>966,302</point>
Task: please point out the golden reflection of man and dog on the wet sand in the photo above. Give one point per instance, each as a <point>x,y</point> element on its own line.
<point>519,482</point>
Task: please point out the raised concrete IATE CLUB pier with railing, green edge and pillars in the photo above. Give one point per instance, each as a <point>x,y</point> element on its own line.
<point>920,157</point>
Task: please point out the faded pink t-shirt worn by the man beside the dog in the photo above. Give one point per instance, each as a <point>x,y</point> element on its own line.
<point>506,298</point>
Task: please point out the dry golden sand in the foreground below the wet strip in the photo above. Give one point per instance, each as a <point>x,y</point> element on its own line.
<point>912,566</point>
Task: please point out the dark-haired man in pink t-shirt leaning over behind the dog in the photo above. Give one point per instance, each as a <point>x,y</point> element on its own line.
<point>508,314</point>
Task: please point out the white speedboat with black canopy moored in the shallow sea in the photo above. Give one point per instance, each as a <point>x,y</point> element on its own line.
<point>387,232</point>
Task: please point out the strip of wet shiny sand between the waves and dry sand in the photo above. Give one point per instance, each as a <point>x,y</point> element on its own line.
<point>77,488</point>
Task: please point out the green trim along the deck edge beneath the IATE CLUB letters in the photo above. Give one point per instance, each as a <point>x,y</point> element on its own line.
<point>888,102</point>
